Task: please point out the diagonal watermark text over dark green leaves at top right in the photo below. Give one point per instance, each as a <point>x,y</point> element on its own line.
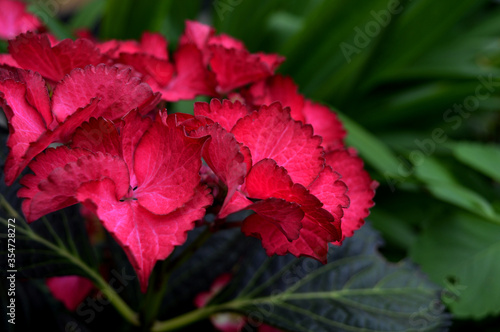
<point>371,29</point>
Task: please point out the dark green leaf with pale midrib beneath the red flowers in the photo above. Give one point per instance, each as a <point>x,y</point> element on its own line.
<point>358,290</point>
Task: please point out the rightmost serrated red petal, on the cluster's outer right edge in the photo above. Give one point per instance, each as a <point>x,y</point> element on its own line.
<point>361,188</point>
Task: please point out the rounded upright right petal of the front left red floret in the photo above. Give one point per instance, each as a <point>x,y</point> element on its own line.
<point>167,165</point>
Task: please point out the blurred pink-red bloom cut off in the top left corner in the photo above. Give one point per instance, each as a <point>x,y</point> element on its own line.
<point>15,19</point>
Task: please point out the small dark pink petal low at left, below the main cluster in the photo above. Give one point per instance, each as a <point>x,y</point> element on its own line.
<point>70,290</point>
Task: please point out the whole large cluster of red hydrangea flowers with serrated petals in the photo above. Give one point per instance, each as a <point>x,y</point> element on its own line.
<point>148,175</point>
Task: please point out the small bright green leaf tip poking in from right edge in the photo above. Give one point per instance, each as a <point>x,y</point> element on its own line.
<point>483,158</point>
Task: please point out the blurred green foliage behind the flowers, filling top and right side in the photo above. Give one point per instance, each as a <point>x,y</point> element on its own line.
<point>417,83</point>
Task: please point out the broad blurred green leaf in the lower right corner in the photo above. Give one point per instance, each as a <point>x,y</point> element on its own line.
<point>461,252</point>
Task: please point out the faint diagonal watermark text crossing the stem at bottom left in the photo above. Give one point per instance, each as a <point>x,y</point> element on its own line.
<point>91,305</point>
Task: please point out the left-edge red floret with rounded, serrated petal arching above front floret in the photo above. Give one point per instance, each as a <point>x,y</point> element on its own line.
<point>85,93</point>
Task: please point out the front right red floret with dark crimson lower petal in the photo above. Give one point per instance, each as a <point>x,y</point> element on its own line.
<point>283,162</point>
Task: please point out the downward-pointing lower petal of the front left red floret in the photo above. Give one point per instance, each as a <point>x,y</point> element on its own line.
<point>145,237</point>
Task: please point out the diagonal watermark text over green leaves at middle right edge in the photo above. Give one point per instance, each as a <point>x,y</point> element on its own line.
<point>454,116</point>
